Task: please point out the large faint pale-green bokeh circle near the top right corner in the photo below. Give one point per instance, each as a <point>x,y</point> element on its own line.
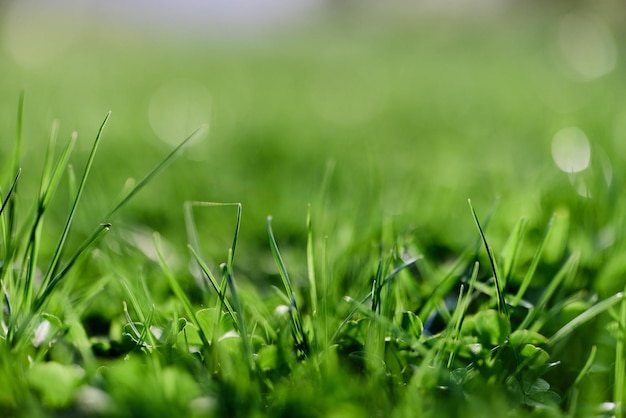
<point>586,43</point>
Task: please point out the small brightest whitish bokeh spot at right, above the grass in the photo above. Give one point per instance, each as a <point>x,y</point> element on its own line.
<point>571,150</point>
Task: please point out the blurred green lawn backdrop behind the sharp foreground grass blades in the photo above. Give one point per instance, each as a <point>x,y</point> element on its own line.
<point>371,112</point>
